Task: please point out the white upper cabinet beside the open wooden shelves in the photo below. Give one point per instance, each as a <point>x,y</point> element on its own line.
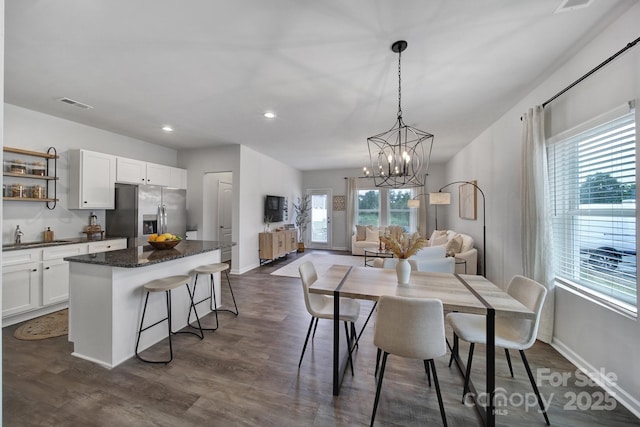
<point>92,178</point>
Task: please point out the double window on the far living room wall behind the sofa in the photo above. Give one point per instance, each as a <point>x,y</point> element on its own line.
<point>382,207</point>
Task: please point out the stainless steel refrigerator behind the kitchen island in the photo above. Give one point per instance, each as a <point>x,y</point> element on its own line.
<point>141,210</point>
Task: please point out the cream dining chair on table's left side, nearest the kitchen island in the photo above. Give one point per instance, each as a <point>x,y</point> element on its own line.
<point>321,307</point>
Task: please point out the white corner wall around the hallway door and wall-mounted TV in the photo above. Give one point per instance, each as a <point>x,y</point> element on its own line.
<point>254,176</point>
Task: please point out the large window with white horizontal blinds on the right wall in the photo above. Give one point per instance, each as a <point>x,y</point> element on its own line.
<point>592,178</point>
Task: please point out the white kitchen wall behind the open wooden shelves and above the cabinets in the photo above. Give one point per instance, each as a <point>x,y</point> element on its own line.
<point>35,131</point>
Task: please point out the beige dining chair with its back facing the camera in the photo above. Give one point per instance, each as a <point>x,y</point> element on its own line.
<point>412,328</point>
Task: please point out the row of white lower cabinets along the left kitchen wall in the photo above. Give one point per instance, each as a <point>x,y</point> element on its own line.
<point>35,282</point>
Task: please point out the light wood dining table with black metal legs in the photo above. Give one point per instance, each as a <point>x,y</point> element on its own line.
<point>461,293</point>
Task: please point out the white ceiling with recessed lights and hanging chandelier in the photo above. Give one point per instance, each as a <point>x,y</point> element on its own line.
<point>210,69</point>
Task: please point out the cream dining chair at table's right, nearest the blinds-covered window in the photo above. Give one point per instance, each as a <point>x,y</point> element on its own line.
<point>511,334</point>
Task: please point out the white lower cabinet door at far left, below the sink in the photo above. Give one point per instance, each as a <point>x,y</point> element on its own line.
<point>20,288</point>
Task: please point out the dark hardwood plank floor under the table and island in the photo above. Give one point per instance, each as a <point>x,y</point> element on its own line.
<point>246,374</point>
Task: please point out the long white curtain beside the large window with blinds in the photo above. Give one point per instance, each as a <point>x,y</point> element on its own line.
<point>537,234</point>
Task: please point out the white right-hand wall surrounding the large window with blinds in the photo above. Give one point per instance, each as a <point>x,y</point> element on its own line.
<point>591,336</point>
